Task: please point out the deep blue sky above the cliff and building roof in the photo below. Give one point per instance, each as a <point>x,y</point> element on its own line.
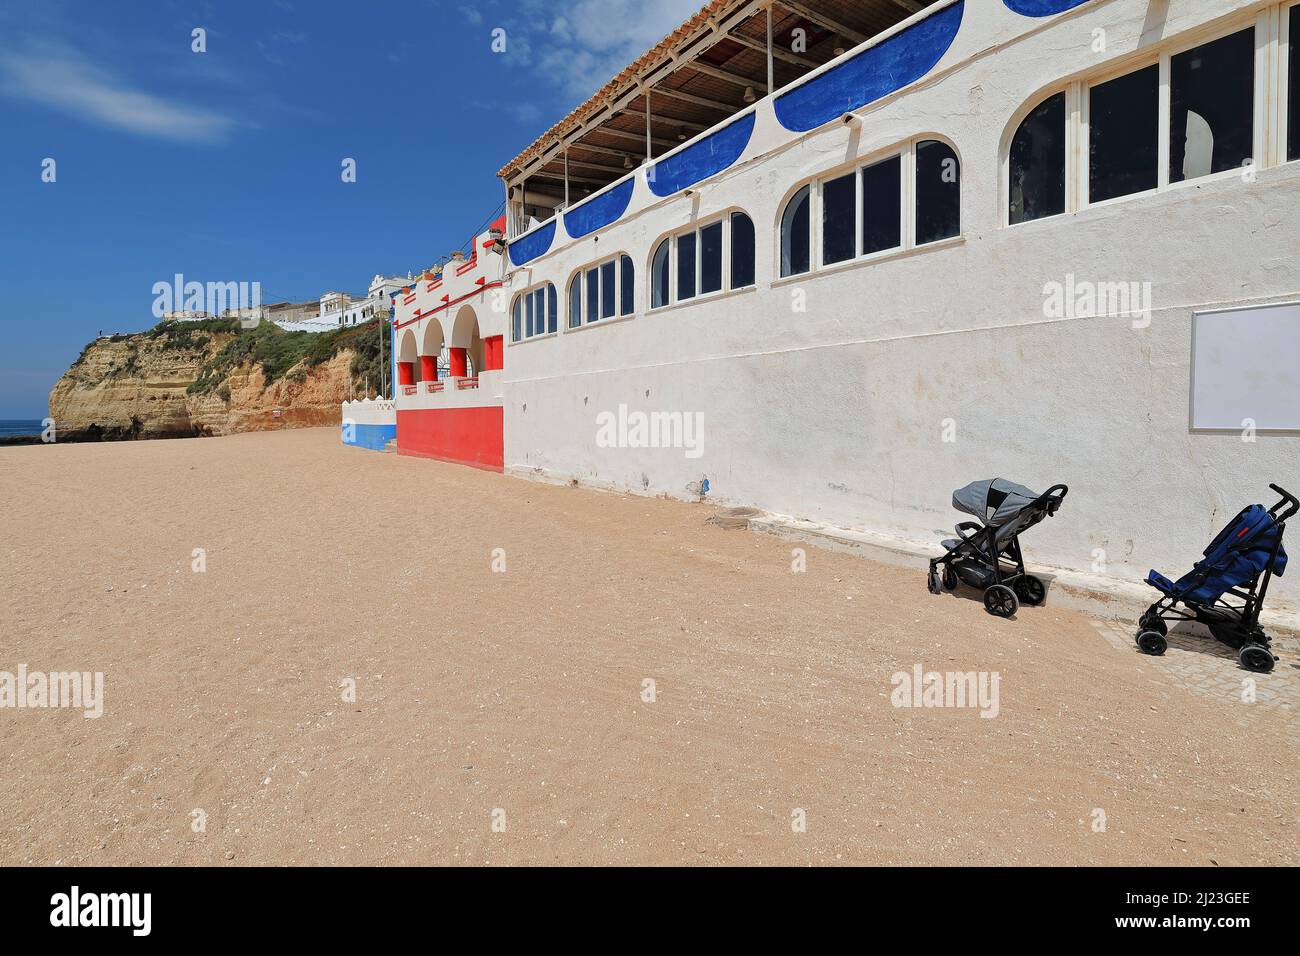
<point>226,166</point>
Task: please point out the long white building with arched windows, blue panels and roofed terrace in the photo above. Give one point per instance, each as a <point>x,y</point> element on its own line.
<point>980,243</point>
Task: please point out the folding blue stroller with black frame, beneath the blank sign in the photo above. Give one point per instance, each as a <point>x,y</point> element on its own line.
<point>1227,590</point>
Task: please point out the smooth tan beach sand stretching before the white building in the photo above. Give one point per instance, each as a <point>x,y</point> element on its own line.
<point>517,698</point>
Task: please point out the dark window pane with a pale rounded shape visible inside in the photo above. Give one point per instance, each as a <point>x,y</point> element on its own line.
<point>1212,107</point>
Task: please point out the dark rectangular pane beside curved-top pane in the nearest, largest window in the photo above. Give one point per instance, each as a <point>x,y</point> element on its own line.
<point>1124,129</point>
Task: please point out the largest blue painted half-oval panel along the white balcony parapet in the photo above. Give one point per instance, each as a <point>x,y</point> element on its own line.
<point>877,72</point>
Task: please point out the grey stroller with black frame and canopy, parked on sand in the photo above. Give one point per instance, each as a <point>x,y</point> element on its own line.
<point>987,555</point>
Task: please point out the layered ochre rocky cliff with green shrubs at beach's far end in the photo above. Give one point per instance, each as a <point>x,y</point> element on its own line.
<point>198,379</point>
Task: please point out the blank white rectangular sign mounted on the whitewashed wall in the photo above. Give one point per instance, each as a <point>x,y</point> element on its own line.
<point>1246,367</point>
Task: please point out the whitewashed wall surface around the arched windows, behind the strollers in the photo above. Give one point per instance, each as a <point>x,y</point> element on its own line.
<point>835,414</point>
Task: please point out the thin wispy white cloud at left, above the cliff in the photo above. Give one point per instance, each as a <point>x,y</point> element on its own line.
<point>62,80</point>
